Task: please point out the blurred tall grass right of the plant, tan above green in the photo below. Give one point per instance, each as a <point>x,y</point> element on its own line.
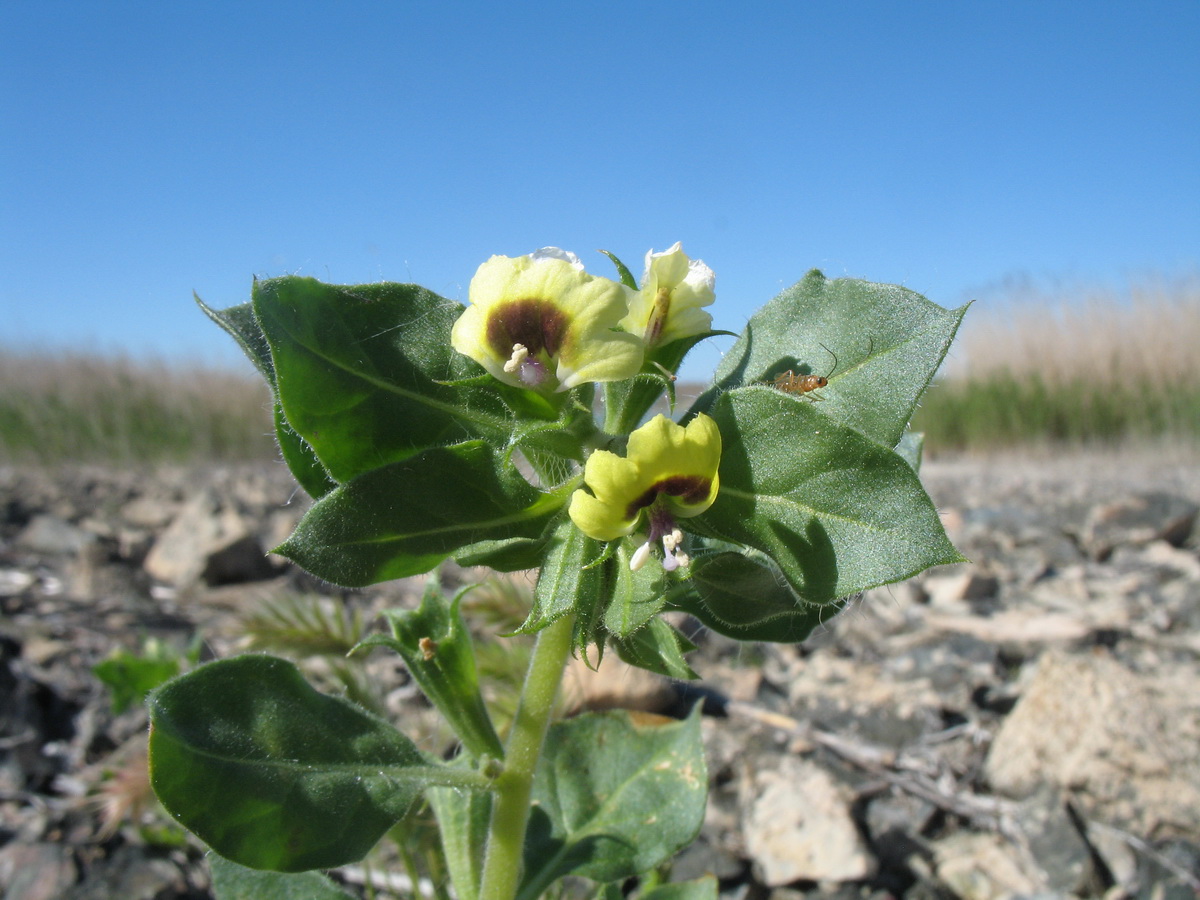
<point>1095,368</point>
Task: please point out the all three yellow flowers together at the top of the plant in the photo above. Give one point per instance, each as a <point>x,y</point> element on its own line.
<point>543,323</point>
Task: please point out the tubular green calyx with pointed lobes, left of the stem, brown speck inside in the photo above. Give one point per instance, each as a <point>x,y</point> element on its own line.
<point>436,647</point>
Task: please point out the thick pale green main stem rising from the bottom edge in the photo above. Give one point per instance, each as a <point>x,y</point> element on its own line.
<point>514,788</point>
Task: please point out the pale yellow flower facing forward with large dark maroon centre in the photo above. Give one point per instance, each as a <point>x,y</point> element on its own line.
<point>539,321</point>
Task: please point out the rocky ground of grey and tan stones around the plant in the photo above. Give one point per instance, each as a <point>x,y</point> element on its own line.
<point>1024,725</point>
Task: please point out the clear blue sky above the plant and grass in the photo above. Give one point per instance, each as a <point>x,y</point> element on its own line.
<point>149,151</point>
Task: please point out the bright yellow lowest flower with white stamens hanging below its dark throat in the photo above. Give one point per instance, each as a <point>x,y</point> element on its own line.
<point>669,472</point>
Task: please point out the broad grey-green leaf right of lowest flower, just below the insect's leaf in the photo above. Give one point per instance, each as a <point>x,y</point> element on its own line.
<point>838,513</point>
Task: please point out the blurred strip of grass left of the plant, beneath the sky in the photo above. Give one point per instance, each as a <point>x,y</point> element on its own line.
<point>79,407</point>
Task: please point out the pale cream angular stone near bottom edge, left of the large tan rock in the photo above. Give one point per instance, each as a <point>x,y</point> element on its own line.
<point>799,826</point>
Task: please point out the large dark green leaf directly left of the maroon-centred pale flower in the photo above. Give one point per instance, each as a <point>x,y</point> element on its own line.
<point>363,373</point>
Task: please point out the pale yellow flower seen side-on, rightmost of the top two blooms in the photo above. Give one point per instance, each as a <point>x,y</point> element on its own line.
<point>674,290</point>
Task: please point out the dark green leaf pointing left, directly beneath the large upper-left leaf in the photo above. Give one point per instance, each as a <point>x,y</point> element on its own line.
<point>406,518</point>
